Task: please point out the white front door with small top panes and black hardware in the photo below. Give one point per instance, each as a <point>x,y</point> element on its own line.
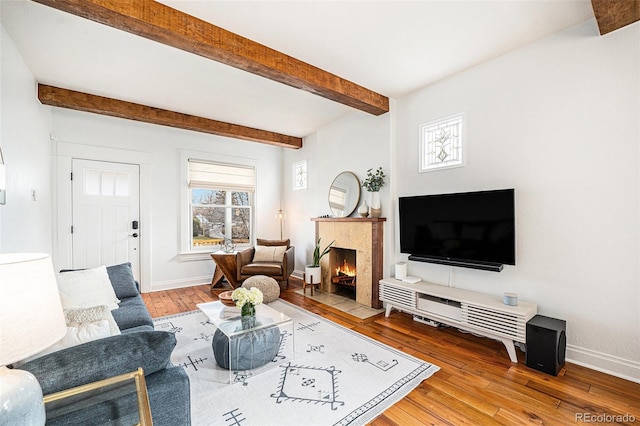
<point>106,209</point>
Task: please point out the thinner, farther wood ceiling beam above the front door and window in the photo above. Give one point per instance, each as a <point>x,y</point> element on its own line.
<point>64,98</point>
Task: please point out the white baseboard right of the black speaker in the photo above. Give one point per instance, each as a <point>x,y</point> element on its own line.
<point>609,364</point>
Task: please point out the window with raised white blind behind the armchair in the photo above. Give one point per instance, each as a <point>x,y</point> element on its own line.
<point>221,203</point>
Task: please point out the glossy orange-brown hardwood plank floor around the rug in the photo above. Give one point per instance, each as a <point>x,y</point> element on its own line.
<point>476,384</point>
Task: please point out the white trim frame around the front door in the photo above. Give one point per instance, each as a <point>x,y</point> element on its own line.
<point>63,153</point>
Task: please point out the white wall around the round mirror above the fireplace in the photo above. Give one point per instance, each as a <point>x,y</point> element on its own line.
<point>356,143</point>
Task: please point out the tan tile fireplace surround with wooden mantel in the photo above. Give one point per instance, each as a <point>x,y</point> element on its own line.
<point>365,235</point>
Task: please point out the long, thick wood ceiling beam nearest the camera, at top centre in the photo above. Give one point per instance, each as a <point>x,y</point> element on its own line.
<point>158,22</point>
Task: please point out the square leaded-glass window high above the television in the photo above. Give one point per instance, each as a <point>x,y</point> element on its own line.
<point>442,144</point>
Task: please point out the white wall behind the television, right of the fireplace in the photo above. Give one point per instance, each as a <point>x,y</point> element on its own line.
<point>558,121</point>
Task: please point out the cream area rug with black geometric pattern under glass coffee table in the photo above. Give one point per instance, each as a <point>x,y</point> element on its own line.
<point>336,376</point>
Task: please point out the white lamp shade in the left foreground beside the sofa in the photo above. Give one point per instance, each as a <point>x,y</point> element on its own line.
<point>31,315</point>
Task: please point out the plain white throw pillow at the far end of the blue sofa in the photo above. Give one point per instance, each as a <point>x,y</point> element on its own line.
<point>87,288</point>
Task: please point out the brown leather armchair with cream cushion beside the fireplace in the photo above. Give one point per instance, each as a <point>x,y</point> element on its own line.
<point>273,258</point>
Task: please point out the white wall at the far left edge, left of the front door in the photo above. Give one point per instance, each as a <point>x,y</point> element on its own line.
<point>25,224</point>
